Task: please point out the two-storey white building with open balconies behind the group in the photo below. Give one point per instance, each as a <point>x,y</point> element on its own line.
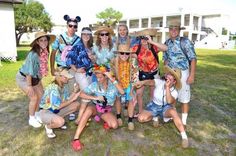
<point>206,30</point>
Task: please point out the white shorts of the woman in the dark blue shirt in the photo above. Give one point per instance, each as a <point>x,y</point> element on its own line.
<point>83,81</point>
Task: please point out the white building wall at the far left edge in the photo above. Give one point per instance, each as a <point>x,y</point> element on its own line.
<point>7,32</point>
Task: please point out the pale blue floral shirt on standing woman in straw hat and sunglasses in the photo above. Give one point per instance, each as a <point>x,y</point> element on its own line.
<point>104,56</point>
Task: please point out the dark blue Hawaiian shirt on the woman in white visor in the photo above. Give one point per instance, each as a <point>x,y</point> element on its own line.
<point>78,56</point>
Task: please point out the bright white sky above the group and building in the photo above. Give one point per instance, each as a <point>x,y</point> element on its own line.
<point>87,9</point>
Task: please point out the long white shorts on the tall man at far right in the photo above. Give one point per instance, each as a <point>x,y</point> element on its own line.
<point>184,92</point>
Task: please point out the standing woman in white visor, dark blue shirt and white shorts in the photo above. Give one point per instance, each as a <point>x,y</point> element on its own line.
<point>79,62</point>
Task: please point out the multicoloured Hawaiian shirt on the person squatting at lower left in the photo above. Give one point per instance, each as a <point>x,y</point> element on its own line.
<point>53,96</point>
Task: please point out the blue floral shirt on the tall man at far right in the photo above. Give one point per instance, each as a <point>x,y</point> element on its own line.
<point>175,57</point>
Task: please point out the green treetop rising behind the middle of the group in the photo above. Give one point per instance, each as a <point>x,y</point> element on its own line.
<point>109,17</point>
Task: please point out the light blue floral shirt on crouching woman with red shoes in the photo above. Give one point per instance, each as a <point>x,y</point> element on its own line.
<point>97,90</point>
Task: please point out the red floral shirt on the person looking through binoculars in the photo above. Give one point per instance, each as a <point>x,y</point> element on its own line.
<point>146,60</point>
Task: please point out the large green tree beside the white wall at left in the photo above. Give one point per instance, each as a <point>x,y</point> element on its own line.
<point>29,17</point>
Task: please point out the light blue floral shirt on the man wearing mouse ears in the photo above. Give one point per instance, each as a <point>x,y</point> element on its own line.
<point>59,45</point>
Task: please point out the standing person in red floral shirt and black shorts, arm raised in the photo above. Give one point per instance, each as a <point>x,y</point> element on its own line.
<point>148,62</point>
